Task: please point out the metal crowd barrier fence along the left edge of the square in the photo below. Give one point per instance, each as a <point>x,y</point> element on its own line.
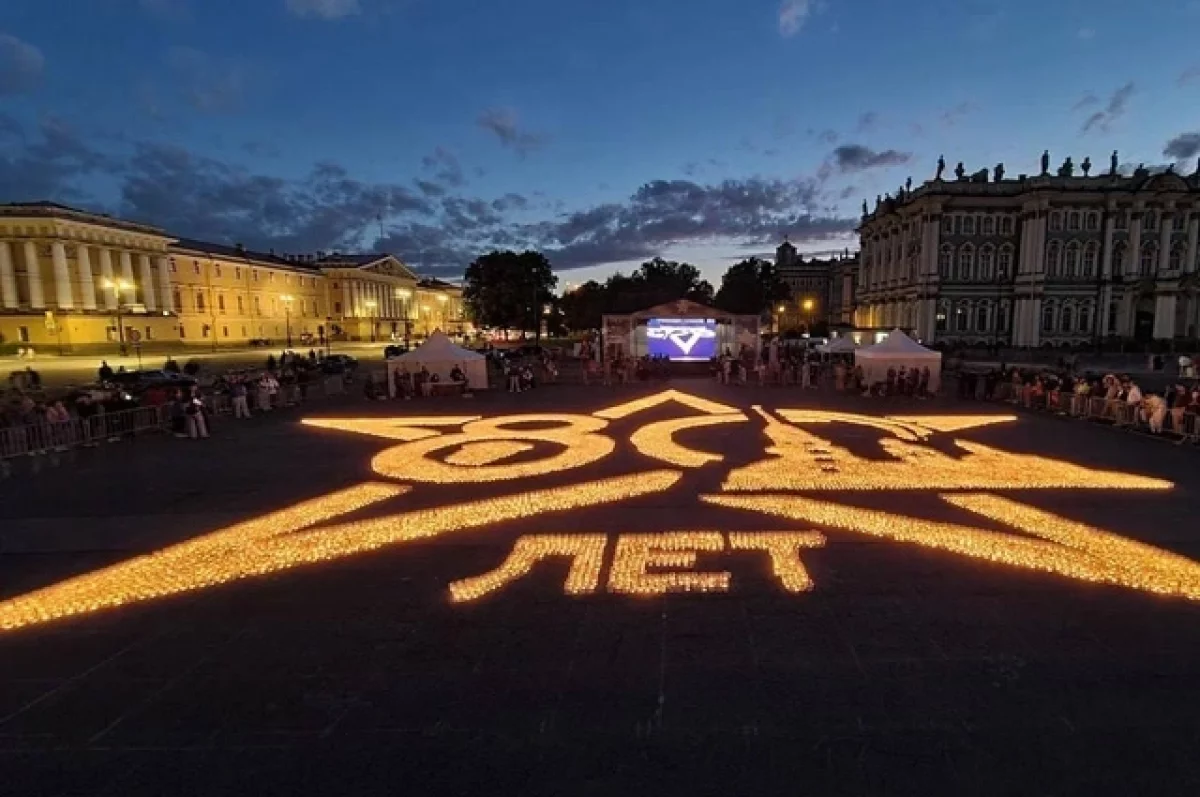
<point>61,436</point>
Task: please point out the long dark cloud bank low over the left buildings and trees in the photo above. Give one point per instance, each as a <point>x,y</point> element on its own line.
<point>439,230</point>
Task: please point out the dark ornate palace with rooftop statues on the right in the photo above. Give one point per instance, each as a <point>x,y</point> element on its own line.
<point>1041,261</point>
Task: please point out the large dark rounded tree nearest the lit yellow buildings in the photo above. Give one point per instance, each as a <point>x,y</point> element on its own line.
<point>508,291</point>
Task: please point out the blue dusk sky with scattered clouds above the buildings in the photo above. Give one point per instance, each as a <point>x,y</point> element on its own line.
<point>601,131</point>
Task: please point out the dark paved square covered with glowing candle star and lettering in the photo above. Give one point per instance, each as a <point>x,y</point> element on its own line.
<point>609,592</point>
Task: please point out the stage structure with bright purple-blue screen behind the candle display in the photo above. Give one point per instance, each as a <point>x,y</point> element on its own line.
<point>682,332</point>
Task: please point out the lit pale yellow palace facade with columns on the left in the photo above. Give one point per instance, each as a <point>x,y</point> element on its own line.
<point>67,277</point>
